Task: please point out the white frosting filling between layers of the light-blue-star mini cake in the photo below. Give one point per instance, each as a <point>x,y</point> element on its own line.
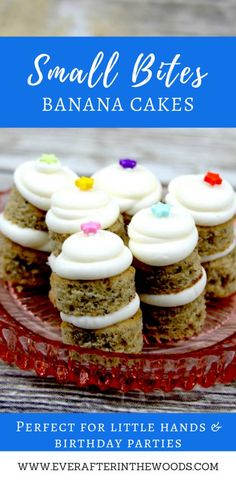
<point>180,298</point>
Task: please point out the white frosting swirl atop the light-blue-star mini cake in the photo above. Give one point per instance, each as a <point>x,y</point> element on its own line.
<point>162,241</point>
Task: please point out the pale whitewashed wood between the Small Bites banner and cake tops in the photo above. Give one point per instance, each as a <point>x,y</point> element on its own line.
<point>168,152</point>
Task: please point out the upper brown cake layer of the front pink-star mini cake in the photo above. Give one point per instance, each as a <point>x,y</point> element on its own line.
<point>97,297</point>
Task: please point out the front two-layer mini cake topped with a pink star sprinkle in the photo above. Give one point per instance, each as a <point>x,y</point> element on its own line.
<point>93,287</point>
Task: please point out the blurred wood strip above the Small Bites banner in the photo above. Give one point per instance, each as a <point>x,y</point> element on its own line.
<point>123,17</point>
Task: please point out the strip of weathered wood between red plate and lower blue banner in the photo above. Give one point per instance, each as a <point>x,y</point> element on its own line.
<point>25,392</point>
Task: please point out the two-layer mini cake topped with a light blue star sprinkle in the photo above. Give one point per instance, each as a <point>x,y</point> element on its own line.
<point>170,279</point>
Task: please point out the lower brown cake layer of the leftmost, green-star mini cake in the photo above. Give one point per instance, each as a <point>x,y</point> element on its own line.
<point>22,266</point>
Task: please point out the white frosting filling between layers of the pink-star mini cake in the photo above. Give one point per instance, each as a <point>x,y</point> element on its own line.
<point>99,322</point>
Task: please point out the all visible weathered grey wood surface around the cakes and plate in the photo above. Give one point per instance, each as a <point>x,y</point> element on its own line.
<point>167,152</point>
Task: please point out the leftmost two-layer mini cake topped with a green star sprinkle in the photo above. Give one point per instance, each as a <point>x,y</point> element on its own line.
<point>25,242</point>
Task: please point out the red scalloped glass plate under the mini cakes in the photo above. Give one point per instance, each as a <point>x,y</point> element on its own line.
<point>30,338</point>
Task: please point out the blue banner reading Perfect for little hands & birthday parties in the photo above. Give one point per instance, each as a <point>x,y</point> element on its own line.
<point>117,432</point>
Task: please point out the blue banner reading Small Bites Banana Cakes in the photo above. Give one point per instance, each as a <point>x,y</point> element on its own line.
<point>118,82</point>
